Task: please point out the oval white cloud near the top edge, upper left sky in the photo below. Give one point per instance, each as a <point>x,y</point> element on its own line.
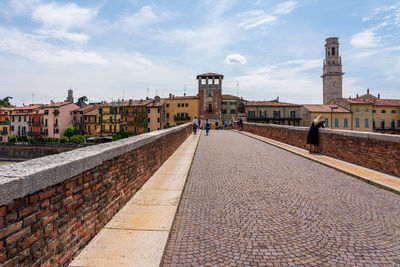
<point>63,16</point>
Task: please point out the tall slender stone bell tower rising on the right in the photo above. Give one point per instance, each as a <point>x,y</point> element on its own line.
<point>332,74</point>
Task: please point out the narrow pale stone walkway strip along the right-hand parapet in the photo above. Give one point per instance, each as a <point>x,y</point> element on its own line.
<point>380,179</point>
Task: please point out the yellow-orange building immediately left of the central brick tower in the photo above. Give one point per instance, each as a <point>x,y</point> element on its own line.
<point>180,109</point>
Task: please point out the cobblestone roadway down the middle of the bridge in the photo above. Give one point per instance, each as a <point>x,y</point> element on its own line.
<point>249,203</point>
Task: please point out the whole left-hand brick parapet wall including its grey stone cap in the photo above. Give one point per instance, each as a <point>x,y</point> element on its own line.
<point>51,207</point>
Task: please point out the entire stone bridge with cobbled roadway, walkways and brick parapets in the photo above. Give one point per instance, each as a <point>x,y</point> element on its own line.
<point>233,198</point>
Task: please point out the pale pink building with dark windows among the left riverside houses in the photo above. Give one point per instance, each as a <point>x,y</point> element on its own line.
<point>57,116</point>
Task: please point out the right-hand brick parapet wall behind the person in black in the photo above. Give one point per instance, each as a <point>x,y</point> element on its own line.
<point>376,151</point>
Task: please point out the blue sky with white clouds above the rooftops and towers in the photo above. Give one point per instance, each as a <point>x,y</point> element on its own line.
<point>114,49</point>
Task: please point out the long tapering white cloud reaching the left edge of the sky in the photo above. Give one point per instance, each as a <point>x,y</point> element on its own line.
<point>30,46</point>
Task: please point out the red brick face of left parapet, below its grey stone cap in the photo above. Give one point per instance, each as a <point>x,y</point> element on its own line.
<point>48,227</point>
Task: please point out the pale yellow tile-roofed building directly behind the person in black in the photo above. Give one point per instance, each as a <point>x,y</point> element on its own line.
<point>335,117</point>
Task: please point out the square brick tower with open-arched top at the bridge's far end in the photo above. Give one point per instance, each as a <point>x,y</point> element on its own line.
<point>210,96</point>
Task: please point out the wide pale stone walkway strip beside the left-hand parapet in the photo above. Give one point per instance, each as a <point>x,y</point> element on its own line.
<point>137,234</point>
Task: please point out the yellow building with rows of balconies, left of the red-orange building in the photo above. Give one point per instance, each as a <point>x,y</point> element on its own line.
<point>109,118</point>
